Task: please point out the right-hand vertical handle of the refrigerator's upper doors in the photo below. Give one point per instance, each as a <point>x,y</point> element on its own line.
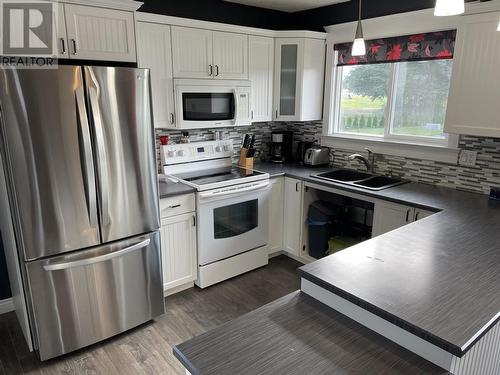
<point>101,155</point>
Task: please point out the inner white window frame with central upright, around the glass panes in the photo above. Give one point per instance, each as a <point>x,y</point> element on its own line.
<point>448,140</point>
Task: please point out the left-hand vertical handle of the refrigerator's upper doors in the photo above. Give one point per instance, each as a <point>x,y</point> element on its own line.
<point>88,161</point>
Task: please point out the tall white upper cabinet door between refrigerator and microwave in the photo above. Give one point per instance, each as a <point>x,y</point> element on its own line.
<point>154,51</point>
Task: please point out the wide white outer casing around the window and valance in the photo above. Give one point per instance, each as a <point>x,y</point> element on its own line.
<point>421,21</point>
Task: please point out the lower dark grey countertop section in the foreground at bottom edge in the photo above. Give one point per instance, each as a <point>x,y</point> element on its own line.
<point>297,335</point>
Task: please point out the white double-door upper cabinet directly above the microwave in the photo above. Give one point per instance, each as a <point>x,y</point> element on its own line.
<point>199,53</point>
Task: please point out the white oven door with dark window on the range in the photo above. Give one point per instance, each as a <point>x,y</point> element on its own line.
<point>232,220</point>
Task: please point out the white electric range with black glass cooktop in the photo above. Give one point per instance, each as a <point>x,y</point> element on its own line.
<point>231,208</point>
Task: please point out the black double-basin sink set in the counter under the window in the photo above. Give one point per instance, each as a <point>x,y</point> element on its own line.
<point>360,179</point>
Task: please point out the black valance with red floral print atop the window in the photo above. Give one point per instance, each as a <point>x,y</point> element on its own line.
<point>429,46</point>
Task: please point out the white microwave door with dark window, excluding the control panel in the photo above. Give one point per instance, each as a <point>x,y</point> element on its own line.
<point>206,106</point>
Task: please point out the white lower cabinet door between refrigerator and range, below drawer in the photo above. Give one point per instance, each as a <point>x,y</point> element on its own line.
<point>178,248</point>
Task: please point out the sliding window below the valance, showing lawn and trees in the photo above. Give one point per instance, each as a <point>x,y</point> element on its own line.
<point>395,101</point>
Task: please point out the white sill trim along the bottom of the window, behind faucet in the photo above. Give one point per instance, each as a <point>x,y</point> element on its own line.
<point>404,149</point>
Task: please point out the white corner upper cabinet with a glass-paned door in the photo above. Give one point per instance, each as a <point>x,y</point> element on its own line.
<point>299,79</point>
